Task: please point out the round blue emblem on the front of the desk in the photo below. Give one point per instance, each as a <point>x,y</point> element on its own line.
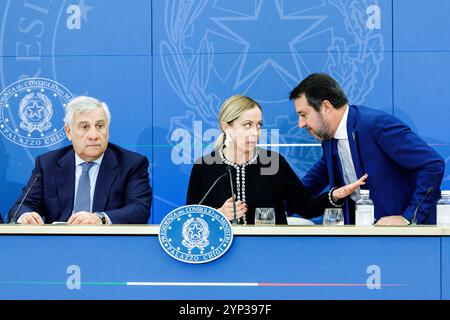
<point>195,234</point>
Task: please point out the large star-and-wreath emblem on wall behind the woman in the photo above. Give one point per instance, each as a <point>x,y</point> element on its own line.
<point>347,33</point>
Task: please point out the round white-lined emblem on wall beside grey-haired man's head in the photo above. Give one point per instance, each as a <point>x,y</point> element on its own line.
<point>32,112</point>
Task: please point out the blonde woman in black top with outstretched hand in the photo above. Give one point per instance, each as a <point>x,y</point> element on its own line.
<point>240,119</point>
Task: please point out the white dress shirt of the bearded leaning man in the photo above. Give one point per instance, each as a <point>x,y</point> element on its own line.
<point>345,155</point>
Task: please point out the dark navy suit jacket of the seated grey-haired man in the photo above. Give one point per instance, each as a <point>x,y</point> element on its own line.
<point>122,189</point>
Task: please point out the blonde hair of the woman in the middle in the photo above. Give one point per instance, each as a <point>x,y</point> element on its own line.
<point>232,109</point>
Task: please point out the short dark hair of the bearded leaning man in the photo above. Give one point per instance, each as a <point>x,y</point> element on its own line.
<point>318,87</point>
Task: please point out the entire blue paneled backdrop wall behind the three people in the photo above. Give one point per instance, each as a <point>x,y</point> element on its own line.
<point>165,66</point>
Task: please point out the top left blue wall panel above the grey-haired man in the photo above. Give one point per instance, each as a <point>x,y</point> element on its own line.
<point>113,27</point>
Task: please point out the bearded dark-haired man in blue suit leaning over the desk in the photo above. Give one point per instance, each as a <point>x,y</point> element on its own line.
<point>402,169</point>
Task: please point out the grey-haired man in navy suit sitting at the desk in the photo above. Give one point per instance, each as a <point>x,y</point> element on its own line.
<point>92,181</point>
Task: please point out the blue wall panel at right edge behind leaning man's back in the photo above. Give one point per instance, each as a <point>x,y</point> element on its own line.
<point>422,98</point>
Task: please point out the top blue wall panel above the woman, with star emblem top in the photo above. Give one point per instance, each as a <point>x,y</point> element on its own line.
<point>266,26</point>
